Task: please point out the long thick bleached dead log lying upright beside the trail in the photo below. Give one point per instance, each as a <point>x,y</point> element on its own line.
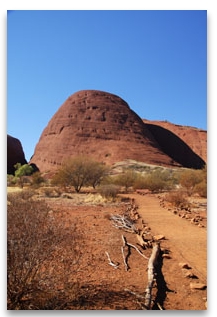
<point>151,274</point>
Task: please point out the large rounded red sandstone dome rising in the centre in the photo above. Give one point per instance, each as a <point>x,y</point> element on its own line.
<point>101,125</point>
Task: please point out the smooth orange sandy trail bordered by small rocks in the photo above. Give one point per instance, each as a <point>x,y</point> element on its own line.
<point>188,240</point>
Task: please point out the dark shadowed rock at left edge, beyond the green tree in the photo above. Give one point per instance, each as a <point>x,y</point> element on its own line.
<point>15,154</point>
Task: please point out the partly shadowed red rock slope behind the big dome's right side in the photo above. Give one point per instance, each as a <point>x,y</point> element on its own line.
<point>186,145</point>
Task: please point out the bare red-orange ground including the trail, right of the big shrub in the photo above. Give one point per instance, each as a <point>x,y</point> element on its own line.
<point>108,288</point>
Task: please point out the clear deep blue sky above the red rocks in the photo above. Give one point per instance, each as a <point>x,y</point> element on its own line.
<point>155,60</point>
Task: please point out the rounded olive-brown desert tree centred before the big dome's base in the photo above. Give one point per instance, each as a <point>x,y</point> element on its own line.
<point>78,172</point>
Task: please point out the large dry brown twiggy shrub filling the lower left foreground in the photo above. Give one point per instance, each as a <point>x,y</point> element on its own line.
<point>42,256</point>
